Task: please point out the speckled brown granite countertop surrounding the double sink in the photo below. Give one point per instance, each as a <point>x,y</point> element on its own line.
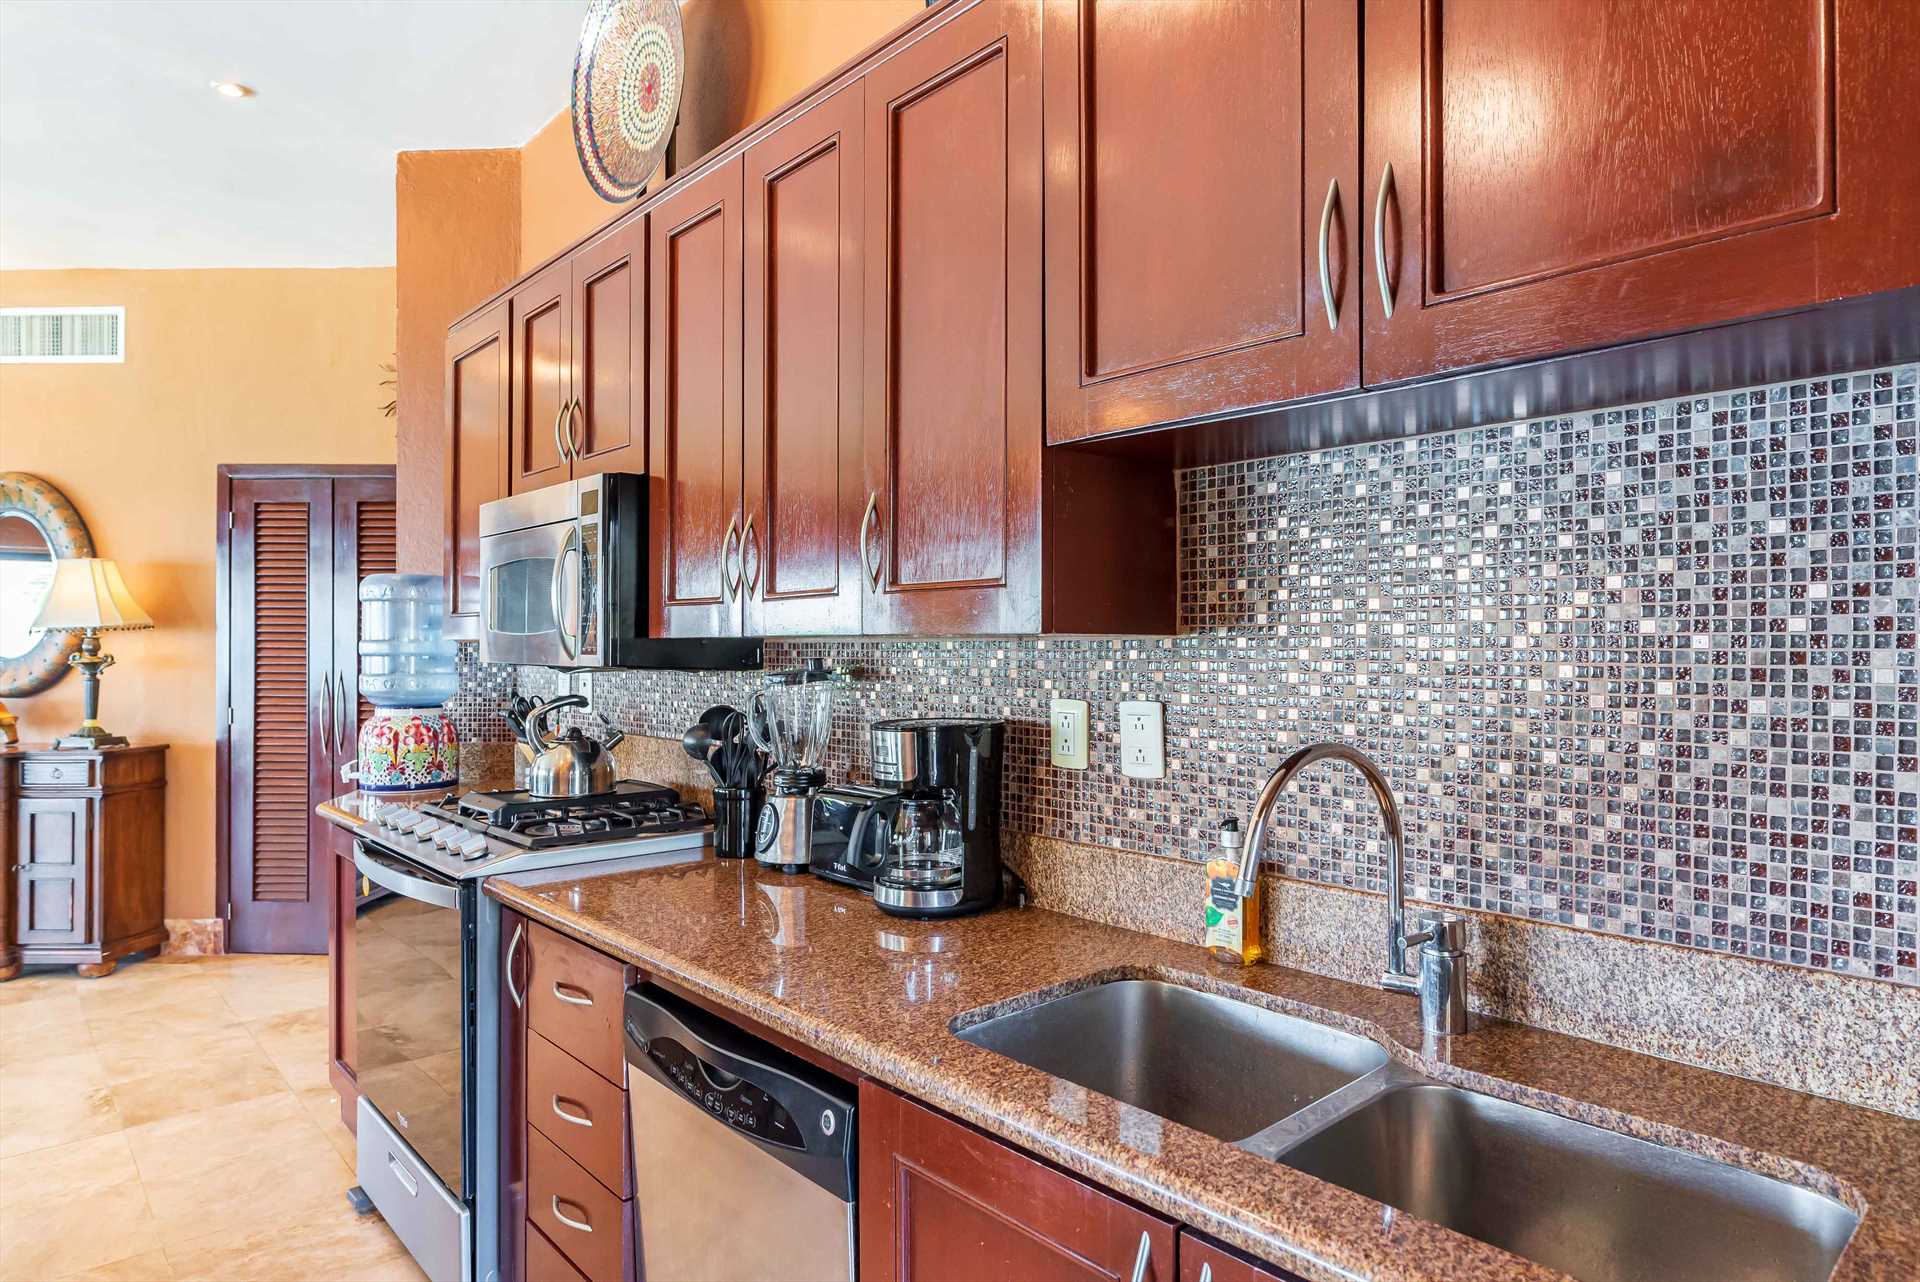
<point>821,964</point>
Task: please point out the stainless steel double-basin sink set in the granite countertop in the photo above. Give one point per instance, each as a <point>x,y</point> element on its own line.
<point>1589,1202</point>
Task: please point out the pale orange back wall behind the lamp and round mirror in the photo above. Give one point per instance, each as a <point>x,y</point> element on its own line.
<point>222,368</point>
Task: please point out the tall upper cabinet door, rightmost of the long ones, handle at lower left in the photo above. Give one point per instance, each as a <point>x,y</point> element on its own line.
<point>953,327</point>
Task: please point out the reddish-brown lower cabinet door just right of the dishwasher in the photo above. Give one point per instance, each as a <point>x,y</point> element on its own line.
<point>942,1202</point>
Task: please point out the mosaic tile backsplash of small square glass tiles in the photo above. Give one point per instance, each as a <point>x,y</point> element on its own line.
<point>1646,671</point>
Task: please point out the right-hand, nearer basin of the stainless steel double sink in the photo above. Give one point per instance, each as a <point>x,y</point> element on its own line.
<point>1589,1202</point>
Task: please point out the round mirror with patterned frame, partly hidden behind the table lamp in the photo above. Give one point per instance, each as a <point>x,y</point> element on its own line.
<point>37,527</point>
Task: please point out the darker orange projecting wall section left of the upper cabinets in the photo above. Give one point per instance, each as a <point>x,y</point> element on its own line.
<point>456,241</point>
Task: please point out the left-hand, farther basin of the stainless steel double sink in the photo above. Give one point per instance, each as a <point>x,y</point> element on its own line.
<point>1207,1062</point>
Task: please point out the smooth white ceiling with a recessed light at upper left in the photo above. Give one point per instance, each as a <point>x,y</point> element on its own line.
<point>114,153</point>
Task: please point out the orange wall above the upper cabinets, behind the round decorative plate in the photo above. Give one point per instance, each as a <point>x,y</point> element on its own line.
<point>746,60</point>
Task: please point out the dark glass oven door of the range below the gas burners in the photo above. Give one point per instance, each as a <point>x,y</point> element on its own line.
<point>412,1009</point>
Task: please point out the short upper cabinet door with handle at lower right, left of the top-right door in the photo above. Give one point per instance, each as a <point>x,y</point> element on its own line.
<point>1188,227</point>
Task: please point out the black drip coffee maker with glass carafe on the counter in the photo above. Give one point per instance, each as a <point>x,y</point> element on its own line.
<point>944,851</point>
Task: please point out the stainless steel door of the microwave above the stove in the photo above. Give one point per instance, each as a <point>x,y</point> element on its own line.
<point>540,596</point>
